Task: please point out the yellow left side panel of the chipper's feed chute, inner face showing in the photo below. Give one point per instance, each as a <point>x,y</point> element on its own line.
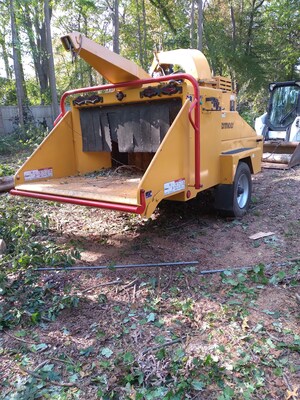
<point>54,157</point>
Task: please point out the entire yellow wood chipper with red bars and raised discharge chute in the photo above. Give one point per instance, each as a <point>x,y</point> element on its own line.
<point>145,137</point>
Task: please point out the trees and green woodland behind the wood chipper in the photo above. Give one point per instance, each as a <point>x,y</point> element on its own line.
<point>255,42</point>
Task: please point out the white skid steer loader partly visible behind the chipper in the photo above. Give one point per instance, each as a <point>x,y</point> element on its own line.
<point>280,126</point>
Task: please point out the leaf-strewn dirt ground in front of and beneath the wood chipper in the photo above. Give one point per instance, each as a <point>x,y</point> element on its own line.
<point>127,312</point>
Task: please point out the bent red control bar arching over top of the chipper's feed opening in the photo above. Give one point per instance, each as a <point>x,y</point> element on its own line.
<point>139,82</point>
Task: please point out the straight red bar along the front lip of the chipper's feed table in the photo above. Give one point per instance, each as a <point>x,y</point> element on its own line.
<point>135,209</point>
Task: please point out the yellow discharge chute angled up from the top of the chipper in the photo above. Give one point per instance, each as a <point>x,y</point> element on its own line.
<point>112,66</point>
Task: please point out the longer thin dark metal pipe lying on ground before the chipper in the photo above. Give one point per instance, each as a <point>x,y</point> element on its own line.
<point>99,267</point>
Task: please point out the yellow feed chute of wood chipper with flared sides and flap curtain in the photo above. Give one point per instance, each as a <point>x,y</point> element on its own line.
<point>84,139</point>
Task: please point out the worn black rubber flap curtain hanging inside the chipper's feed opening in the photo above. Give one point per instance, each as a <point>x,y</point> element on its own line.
<point>136,127</point>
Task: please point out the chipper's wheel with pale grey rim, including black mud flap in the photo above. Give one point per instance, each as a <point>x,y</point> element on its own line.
<point>234,200</point>
